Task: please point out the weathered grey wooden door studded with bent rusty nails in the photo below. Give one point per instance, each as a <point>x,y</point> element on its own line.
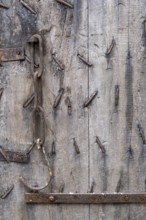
<point>89,46</point>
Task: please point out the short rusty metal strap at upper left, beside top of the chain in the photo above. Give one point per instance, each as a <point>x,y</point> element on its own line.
<point>12,54</point>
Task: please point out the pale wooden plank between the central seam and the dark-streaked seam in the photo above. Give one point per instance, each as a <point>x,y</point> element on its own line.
<point>108,170</point>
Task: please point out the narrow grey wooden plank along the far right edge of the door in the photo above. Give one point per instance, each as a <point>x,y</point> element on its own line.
<point>137,164</point>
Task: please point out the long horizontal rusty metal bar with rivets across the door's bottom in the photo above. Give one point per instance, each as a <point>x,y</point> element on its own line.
<point>89,198</point>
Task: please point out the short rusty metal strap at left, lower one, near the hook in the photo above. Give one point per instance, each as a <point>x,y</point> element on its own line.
<point>14,156</point>
